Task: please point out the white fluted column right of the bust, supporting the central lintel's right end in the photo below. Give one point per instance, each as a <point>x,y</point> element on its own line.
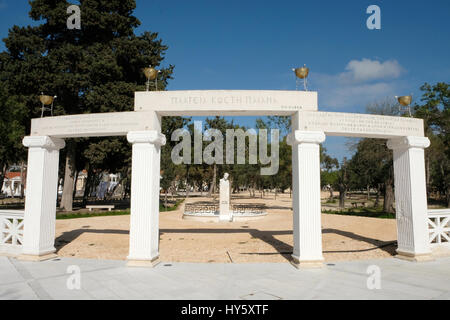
<point>306,198</point>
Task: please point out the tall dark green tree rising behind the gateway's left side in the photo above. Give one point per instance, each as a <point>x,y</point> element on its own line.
<point>95,69</point>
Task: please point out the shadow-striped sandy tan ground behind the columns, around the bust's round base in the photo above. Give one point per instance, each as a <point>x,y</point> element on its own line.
<point>265,240</point>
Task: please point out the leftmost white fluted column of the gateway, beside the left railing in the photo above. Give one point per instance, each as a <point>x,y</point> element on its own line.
<point>41,196</point>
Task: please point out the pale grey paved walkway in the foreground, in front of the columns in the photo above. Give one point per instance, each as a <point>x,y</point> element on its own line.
<point>101,279</point>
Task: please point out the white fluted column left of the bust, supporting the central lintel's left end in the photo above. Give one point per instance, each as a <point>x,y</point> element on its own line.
<point>145,176</point>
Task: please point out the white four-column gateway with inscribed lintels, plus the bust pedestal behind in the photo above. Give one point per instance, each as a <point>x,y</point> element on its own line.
<point>142,127</point>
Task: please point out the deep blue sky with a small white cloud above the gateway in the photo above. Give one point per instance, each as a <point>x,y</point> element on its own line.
<point>254,45</point>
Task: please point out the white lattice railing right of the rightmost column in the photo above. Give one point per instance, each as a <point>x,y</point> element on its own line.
<point>439,226</point>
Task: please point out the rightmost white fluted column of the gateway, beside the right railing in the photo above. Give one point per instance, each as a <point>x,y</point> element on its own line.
<point>411,197</point>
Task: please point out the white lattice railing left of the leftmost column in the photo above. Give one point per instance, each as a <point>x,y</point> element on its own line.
<point>11,231</point>
